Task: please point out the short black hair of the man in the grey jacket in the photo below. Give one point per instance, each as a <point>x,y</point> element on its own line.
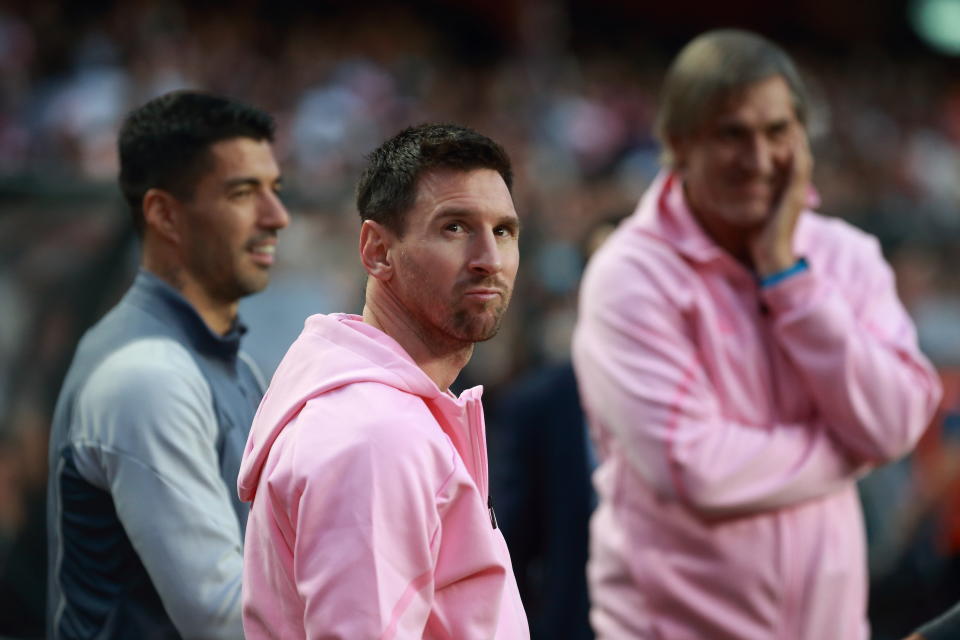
<point>164,144</point>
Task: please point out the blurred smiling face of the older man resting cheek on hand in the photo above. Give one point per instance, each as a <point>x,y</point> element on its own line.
<point>735,168</point>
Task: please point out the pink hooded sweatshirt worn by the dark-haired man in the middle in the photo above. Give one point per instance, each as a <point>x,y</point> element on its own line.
<point>369,489</point>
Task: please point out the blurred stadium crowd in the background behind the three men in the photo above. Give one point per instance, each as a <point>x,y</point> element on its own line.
<point>576,121</point>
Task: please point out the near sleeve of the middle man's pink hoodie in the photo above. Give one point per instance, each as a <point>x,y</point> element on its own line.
<point>366,529</point>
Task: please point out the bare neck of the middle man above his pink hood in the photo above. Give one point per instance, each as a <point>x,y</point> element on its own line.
<point>439,356</point>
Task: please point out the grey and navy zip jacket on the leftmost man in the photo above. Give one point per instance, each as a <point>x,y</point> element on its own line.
<point>145,526</point>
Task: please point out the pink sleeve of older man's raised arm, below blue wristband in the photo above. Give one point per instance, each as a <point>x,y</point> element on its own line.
<point>860,362</point>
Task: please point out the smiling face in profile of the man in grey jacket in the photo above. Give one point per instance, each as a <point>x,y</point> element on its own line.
<point>230,230</point>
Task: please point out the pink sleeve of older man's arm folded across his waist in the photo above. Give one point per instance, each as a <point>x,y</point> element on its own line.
<point>642,378</point>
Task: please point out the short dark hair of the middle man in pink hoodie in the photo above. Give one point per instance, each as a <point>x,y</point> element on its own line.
<point>388,184</point>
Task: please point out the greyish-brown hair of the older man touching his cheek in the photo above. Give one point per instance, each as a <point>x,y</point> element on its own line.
<point>710,69</point>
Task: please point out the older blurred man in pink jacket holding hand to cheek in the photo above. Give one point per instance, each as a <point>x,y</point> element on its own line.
<point>742,361</point>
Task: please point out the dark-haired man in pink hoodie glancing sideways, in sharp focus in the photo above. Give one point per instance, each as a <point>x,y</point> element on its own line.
<point>371,516</point>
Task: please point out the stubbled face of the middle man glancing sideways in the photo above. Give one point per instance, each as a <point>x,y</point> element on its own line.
<point>457,259</point>
